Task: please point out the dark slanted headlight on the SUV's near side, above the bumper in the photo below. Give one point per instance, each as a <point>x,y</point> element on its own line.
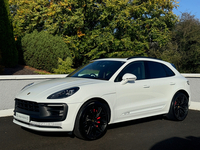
<point>64,93</point>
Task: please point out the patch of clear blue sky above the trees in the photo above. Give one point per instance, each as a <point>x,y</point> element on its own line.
<point>190,6</point>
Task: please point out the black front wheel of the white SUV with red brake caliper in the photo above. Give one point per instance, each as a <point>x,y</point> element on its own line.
<point>92,121</point>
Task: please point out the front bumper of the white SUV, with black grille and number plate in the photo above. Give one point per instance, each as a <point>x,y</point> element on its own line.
<point>44,116</point>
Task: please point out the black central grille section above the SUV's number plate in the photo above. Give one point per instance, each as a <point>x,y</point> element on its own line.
<point>27,105</point>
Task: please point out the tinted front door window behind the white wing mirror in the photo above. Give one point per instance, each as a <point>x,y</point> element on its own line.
<point>136,68</point>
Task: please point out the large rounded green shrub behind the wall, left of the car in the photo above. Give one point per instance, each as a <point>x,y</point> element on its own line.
<point>42,50</point>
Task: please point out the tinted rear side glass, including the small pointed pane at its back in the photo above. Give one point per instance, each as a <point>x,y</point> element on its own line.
<point>157,70</point>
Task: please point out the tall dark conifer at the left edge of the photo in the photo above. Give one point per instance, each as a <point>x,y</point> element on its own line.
<point>7,44</point>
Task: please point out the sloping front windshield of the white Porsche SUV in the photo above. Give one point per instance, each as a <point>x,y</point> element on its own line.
<point>102,70</point>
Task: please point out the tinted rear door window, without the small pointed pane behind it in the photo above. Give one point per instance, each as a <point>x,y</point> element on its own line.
<point>155,70</point>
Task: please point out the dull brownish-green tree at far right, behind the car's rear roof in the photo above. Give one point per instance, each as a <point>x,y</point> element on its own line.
<point>184,48</point>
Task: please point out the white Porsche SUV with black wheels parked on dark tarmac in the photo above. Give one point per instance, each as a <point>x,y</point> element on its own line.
<point>103,92</point>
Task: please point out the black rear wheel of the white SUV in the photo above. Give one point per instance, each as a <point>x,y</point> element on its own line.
<point>179,107</point>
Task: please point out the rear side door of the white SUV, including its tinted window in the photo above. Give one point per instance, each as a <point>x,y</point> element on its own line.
<point>162,85</point>
